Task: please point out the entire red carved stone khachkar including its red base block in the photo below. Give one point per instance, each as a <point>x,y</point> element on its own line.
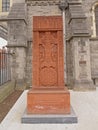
<point>48,94</point>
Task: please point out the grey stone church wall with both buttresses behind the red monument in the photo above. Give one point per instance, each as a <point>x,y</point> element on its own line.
<point>79,32</point>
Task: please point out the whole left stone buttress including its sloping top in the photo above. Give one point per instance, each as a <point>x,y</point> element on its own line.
<point>17,43</point>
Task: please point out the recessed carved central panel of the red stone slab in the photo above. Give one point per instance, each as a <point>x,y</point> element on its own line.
<point>48,59</point>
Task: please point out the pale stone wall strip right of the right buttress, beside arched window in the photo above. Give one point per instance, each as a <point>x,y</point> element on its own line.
<point>88,8</point>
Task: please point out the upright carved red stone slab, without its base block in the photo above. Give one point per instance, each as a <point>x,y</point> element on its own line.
<point>48,52</point>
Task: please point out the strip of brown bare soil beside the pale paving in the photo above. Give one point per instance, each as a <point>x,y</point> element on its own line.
<point>7,104</point>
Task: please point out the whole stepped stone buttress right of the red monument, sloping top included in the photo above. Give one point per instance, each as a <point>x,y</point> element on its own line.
<point>78,38</point>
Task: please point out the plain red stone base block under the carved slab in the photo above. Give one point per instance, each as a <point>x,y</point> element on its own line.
<point>48,101</point>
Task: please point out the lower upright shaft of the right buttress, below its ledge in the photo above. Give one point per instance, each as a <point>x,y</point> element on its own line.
<point>81,64</point>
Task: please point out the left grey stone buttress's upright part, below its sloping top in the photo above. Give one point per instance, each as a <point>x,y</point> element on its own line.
<point>17,47</point>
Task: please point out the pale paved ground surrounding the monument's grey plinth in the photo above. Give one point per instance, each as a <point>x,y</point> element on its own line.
<point>85,105</point>
